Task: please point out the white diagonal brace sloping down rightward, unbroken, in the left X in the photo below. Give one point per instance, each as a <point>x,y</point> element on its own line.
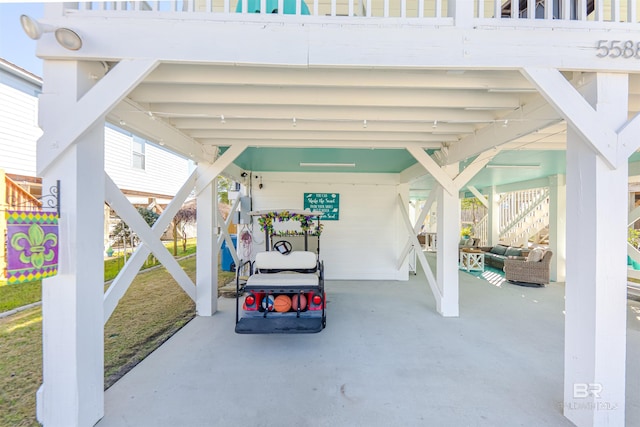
<point>136,223</point>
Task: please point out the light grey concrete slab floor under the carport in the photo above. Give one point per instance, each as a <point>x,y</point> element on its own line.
<point>386,358</point>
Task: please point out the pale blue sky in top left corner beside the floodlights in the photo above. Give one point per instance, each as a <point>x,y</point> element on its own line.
<point>15,46</point>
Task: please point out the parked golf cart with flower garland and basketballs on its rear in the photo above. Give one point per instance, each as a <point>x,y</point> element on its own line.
<point>282,290</point>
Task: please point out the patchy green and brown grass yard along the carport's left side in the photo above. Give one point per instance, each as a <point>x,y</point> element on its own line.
<point>152,310</point>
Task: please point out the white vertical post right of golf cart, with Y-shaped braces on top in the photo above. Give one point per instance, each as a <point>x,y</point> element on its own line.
<point>447,252</point>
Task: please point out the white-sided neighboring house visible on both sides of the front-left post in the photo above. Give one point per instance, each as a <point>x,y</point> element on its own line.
<point>146,173</point>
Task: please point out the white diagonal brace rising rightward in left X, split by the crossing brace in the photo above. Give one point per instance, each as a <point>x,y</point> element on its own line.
<point>129,271</point>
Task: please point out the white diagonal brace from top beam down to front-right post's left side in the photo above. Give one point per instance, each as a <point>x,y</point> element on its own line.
<point>576,111</point>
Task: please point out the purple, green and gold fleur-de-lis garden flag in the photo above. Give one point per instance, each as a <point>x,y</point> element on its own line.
<point>32,245</point>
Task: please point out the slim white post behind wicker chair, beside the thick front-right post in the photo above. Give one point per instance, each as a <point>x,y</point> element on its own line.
<point>557,227</point>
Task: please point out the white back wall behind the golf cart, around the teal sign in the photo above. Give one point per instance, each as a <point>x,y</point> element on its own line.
<point>366,242</point>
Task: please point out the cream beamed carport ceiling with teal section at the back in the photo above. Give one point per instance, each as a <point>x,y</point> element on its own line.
<point>335,115</point>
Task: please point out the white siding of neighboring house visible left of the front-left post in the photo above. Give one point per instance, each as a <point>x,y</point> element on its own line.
<point>19,130</point>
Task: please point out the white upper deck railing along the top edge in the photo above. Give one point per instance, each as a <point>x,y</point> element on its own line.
<point>497,10</point>
